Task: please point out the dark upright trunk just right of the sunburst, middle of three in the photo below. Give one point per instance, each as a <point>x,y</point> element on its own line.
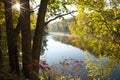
<point>26,39</point>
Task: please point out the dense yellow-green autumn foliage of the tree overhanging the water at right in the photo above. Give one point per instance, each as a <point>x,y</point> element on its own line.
<point>98,27</point>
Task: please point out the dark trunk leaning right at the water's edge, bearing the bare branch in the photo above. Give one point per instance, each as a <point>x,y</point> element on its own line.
<point>37,41</point>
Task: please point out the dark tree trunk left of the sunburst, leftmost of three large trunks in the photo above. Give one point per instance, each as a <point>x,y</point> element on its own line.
<point>12,50</point>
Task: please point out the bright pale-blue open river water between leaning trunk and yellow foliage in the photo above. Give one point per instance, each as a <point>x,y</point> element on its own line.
<point>58,51</point>
